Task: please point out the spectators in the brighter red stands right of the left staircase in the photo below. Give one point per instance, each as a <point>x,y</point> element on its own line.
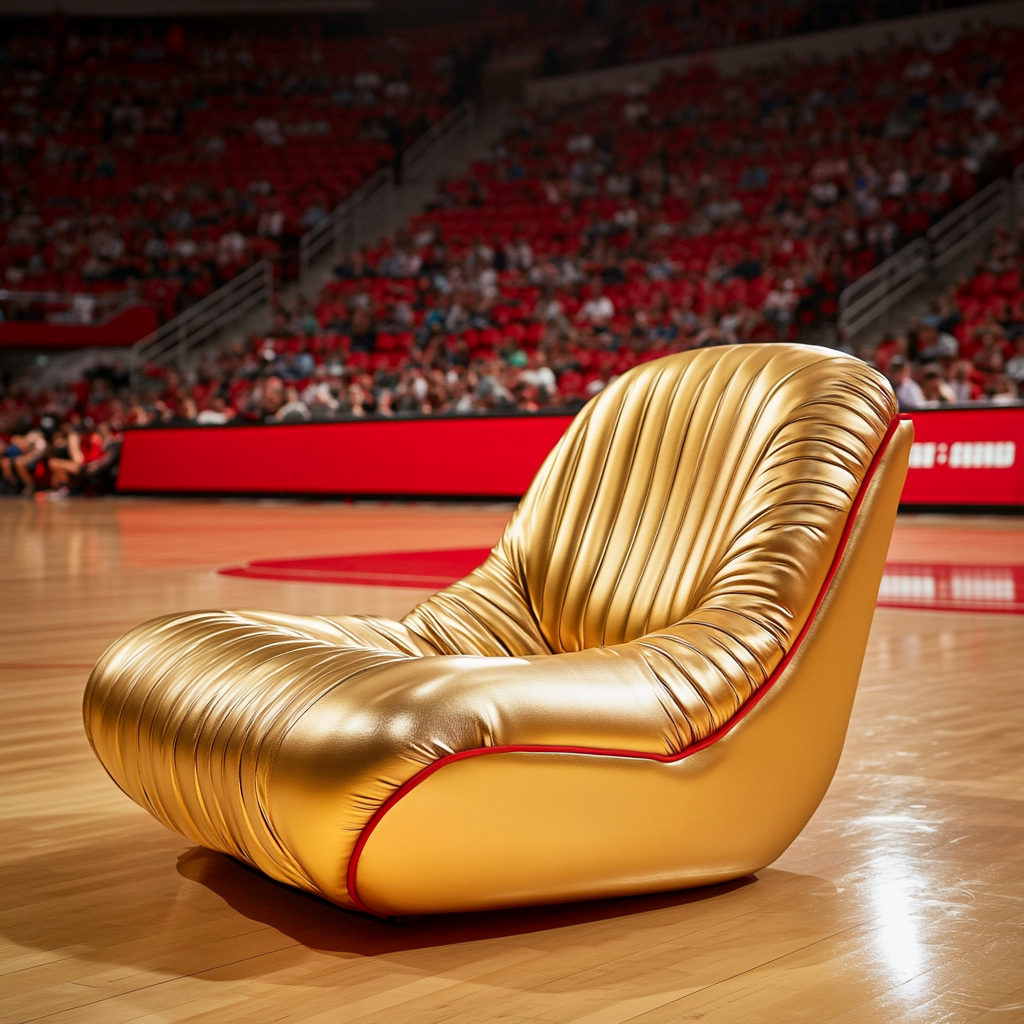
<point>706,211</point>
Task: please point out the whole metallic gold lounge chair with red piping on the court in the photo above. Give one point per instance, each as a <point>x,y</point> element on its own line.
<point>647,686</point>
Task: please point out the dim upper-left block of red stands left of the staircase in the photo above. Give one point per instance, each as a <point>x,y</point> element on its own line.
<point>166,164</point>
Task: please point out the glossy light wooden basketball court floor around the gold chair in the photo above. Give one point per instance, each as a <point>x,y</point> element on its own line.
<point>903,902</point>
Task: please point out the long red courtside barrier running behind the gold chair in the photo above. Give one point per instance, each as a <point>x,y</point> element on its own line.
<point>983,463</point>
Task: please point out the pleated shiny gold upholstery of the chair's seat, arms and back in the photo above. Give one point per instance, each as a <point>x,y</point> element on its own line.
<point>656,574</point>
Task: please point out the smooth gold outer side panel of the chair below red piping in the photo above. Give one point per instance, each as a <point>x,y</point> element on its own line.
<point>520,829</point>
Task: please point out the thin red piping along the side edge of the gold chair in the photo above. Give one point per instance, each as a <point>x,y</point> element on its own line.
<point>755,700</point>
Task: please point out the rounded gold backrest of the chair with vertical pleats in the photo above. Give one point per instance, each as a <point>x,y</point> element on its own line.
<point>711,486</point>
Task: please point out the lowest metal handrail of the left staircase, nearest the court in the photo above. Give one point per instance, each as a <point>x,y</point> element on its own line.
<point>168,344</point>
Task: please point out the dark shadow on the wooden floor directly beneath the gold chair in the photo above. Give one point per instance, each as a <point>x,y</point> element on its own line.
<point>324,927</point>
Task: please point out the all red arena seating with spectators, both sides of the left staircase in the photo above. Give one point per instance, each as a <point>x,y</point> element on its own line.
<point>603,234</point>
